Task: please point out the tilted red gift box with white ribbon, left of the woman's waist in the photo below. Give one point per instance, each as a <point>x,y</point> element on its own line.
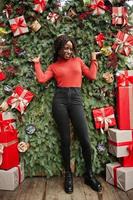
<point>20,99</point>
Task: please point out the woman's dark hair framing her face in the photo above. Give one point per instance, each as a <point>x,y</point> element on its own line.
<point>60,42</point>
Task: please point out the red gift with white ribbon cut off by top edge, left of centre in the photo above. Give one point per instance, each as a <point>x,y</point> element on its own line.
<point>40,5</point>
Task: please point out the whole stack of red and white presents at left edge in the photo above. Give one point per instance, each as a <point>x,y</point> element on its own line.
<point>11,171</point>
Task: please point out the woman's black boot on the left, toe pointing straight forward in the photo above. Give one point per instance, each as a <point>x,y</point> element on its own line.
<point>68,185</point>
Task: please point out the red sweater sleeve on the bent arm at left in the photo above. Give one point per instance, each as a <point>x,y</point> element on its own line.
<point>43,77</point>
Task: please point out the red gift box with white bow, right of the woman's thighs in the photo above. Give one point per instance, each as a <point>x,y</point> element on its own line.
<point>104,117</point>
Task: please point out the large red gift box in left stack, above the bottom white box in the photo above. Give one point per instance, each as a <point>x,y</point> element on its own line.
<point>9,154</point>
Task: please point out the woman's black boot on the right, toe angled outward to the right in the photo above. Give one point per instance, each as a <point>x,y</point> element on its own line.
<point>91,180</point>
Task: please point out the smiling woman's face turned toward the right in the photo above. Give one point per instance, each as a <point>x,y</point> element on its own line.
<point>67,51</point>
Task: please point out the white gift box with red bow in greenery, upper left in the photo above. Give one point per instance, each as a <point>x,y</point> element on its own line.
<point>18,26</point>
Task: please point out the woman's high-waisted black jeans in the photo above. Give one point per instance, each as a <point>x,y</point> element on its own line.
<point>67,105</point>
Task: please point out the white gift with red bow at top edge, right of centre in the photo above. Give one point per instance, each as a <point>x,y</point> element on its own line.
<point>98,7</point>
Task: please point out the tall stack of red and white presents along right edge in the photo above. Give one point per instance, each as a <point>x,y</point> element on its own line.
<point>120,140</point>
